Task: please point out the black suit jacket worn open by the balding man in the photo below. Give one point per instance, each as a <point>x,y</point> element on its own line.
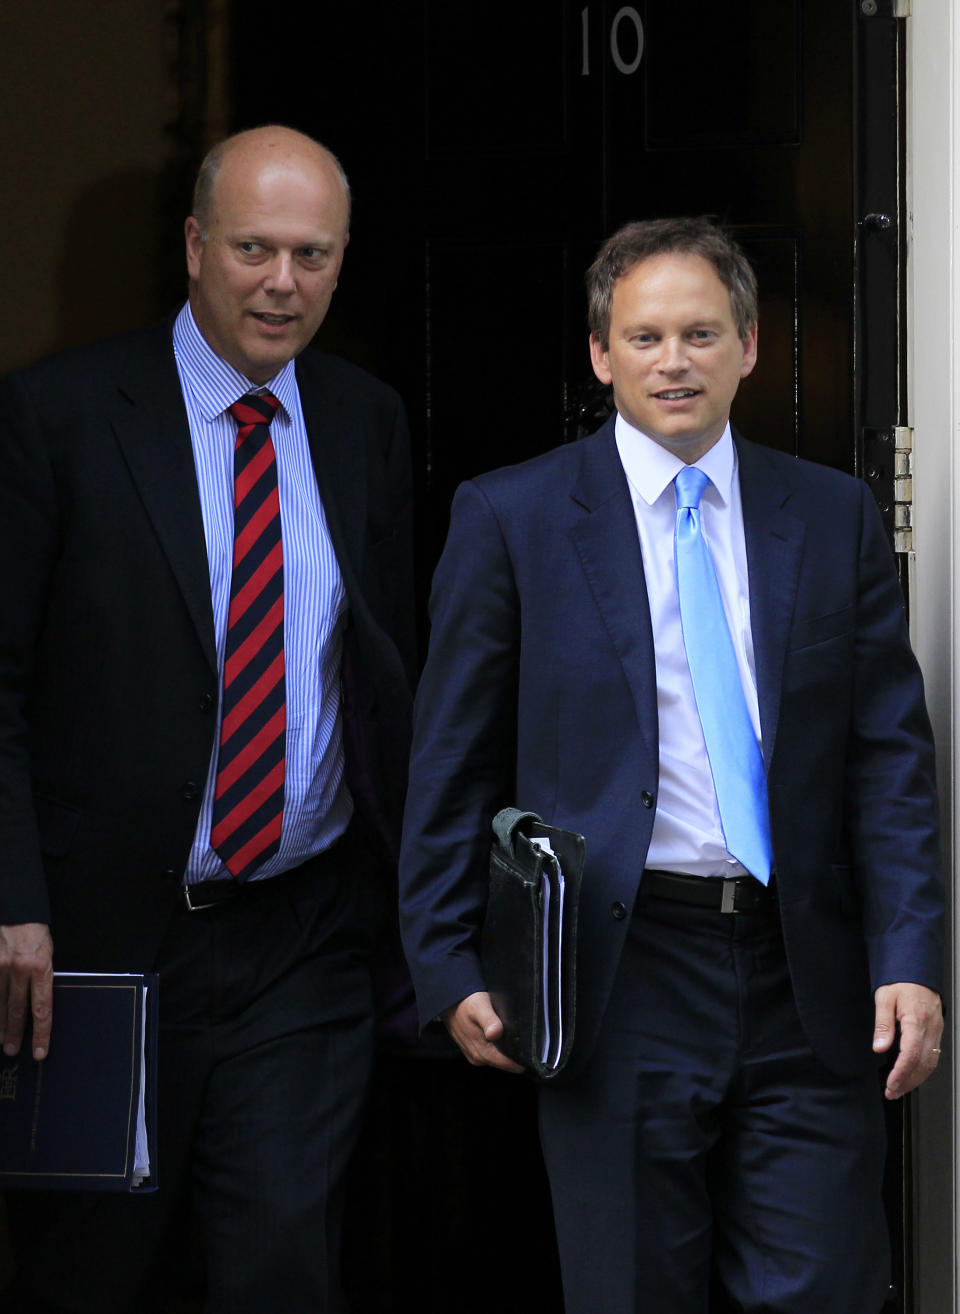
<point>108,675</point>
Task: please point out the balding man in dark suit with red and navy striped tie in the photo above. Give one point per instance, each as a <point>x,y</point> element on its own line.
<point>206,666</point>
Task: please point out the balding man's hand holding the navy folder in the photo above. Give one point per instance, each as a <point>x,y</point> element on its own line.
<point>27,982</point>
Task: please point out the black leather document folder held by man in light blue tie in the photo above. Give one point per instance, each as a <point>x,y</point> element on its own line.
<point>529,945</point>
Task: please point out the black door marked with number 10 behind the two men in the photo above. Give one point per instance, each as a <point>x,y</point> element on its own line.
<point>492,148</point>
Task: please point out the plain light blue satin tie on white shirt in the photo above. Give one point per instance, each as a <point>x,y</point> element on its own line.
<point>732,746</point>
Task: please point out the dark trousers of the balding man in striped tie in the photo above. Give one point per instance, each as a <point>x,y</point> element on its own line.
<point>265,1057</point>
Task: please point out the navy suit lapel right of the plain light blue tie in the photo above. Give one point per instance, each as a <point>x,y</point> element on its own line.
<point>774,543</point>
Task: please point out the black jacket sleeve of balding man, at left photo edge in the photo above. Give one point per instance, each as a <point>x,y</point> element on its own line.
<point>28,546</point>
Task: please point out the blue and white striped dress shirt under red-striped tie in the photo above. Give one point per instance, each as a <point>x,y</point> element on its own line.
<point>317,805</point>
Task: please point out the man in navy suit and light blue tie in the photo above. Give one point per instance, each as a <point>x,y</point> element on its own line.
<point>761,913</point>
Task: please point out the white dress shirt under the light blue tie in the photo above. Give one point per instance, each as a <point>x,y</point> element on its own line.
<point>687,835</point>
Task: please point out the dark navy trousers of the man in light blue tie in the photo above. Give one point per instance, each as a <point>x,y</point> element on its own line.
<point>707,1135</point>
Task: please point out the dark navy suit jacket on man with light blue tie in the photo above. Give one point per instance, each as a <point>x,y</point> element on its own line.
<point>540,691</point>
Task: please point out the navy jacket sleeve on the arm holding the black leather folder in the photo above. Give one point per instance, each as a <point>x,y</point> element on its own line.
<point>464,759</point>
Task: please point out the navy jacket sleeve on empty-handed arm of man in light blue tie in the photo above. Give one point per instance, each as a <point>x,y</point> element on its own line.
<point>891,788</point>
